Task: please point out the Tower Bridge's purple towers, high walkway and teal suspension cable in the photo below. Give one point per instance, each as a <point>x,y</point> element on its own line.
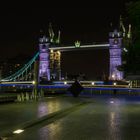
<point>49,58</point>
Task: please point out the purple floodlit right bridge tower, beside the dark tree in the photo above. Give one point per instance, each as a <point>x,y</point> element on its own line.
<point>115,51</point>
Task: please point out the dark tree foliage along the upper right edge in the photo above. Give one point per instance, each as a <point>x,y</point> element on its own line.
<point>133,55</point>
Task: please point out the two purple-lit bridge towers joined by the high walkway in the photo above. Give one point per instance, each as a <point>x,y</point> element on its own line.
<point>50,57</point>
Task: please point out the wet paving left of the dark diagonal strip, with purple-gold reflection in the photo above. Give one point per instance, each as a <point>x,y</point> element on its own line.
<point>15,114</point>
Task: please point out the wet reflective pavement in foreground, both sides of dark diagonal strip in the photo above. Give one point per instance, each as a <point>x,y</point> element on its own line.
<point>104,118</point>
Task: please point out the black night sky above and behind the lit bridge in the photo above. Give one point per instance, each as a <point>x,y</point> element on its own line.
<point>89,23</point>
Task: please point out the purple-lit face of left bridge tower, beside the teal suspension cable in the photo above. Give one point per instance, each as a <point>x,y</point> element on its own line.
<point>44,60</point>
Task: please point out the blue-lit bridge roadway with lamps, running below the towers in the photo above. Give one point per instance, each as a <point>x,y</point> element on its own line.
<point>98,85</point>
